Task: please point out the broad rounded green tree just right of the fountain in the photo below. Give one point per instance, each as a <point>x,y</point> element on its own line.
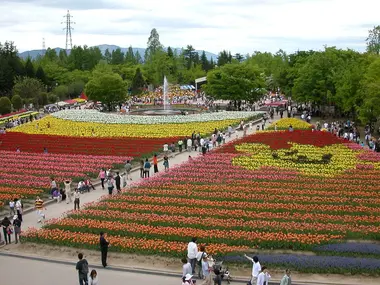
<point>235,82</point>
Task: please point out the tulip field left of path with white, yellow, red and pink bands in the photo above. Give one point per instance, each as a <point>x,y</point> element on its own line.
<point>81,142</point>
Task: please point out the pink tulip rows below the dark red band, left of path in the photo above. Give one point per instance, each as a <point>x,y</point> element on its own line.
<point>21,171</point>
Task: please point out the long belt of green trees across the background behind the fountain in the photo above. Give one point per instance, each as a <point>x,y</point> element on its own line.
<point>346,79</point>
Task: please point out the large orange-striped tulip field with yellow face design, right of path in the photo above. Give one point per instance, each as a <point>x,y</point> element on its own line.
<point>234,207</point>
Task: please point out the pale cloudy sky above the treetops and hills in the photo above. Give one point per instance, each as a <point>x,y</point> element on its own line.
<point>240,26</point>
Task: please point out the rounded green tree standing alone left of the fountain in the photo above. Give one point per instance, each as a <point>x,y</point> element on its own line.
<point>107,88</point>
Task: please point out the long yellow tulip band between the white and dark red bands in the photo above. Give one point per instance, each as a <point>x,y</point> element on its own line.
<point>85,129</point>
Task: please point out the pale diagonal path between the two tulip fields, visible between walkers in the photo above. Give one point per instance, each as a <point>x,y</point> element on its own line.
<point>57,210</point>
